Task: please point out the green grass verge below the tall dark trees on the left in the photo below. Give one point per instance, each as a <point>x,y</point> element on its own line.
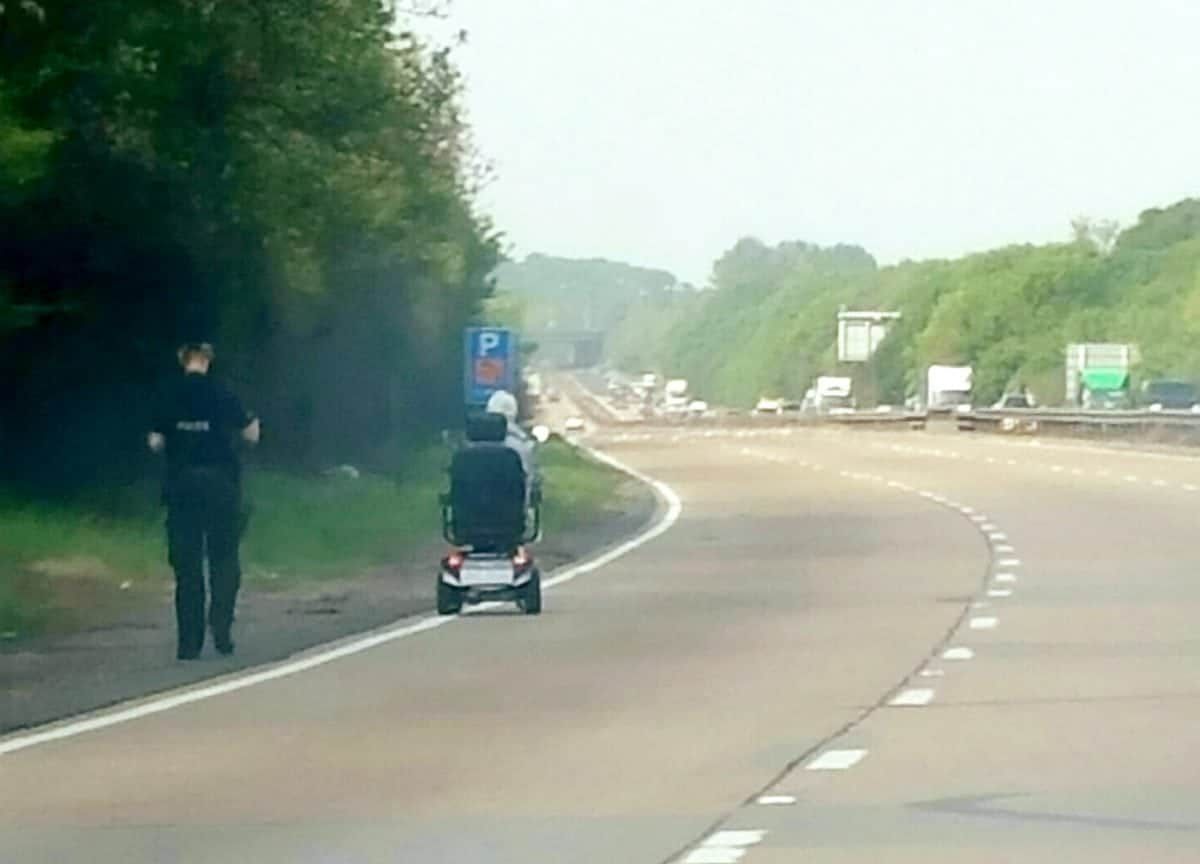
<point>62,567</point>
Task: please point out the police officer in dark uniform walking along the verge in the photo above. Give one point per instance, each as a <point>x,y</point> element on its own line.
<point>197,424</point>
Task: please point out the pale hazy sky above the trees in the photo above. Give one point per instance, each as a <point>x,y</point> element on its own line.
<point>661,131</point>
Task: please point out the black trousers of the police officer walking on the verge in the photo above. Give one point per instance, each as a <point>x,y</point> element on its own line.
<point>203,514</point>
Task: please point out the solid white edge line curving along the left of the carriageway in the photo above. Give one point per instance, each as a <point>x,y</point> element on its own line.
<point>286,669</point>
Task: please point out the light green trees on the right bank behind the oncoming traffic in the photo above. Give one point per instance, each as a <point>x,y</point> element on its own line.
<point>767,327</point>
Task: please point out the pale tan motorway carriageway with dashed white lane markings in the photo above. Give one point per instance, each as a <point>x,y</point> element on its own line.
<point>851,647</point>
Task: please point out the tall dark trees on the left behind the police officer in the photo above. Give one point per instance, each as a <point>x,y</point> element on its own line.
<point>291,179</point>
